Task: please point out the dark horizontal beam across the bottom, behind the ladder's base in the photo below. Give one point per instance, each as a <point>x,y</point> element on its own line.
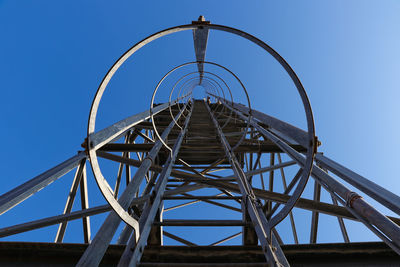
<point>339,254</point>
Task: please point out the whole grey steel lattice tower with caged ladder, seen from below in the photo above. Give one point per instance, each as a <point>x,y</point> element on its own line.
<point>214,151</point>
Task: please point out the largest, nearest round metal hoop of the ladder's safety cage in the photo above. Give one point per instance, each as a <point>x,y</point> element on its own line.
<point>101,181</point>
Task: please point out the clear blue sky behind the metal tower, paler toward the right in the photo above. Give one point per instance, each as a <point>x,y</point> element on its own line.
<point>53,55</point>
